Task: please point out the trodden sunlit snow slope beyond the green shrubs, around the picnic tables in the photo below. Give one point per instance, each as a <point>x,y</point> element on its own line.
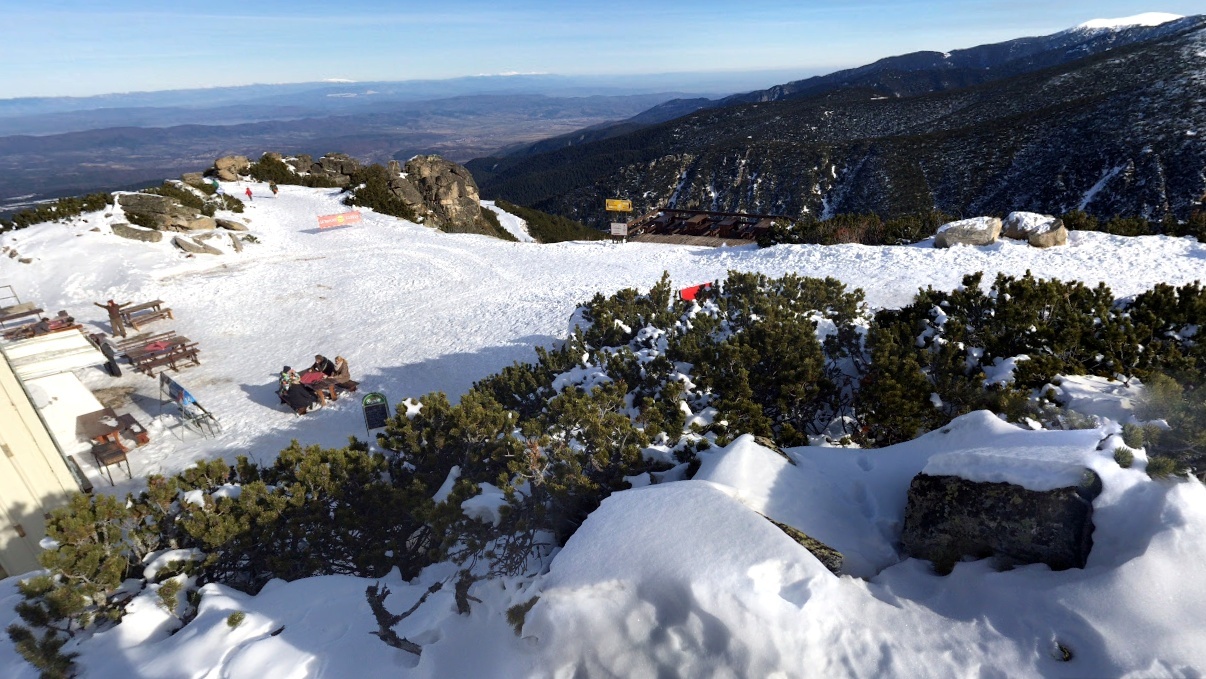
<point>417,311</point>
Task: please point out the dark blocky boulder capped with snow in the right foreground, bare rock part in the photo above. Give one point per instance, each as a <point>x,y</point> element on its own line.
<point>950,519</point>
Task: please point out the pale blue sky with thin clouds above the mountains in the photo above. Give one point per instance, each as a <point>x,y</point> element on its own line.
<point>81,48</point>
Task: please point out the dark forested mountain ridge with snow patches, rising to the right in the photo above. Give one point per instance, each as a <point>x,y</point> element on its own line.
<point>1114,133</point>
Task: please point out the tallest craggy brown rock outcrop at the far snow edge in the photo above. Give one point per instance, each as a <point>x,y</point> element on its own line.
<point>450,192</point>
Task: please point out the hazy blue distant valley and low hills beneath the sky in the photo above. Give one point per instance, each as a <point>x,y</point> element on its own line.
<point>458,128</point>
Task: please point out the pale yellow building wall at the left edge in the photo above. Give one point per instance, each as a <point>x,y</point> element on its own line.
<point>34,479</point>
